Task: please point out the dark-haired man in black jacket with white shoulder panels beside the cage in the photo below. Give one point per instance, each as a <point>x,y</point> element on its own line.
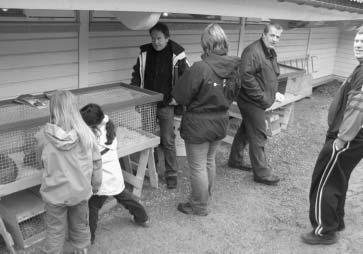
<point>159,64</point>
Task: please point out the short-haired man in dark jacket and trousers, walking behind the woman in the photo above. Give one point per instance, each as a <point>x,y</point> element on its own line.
<point>258,92</point>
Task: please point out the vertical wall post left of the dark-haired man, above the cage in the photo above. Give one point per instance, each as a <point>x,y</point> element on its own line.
<point>83,38</point>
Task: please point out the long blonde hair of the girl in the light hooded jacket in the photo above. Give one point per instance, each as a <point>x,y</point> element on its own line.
<point>64,113</point>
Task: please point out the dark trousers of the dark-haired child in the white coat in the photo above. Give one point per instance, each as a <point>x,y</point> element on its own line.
<point>125,198</point>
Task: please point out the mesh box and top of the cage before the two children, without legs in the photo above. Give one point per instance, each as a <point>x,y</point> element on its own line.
<point>18,150</point>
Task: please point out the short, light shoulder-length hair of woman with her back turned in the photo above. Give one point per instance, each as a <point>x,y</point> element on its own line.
<point>214,38</point>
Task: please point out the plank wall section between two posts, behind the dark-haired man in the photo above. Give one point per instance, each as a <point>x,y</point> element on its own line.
<point>113,54</point>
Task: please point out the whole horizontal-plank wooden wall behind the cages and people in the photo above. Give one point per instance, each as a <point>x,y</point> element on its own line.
<point>33,62</point>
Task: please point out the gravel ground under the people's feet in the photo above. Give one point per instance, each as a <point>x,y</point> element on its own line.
<point>246,217</point>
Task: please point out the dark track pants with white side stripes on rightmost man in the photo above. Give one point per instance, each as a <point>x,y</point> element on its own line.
<point>329,184</point>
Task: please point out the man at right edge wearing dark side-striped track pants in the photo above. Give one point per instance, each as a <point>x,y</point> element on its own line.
<point>340,154</point>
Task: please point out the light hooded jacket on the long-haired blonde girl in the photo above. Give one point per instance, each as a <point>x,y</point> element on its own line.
<point>67,166</point>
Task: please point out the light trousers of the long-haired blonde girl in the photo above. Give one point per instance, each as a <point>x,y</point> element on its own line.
<point>57,218</point>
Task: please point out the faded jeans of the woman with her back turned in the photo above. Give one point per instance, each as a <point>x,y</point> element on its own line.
<point>201,159</point>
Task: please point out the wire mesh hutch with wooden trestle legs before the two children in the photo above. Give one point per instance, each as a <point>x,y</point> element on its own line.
<point>133,110</point>
